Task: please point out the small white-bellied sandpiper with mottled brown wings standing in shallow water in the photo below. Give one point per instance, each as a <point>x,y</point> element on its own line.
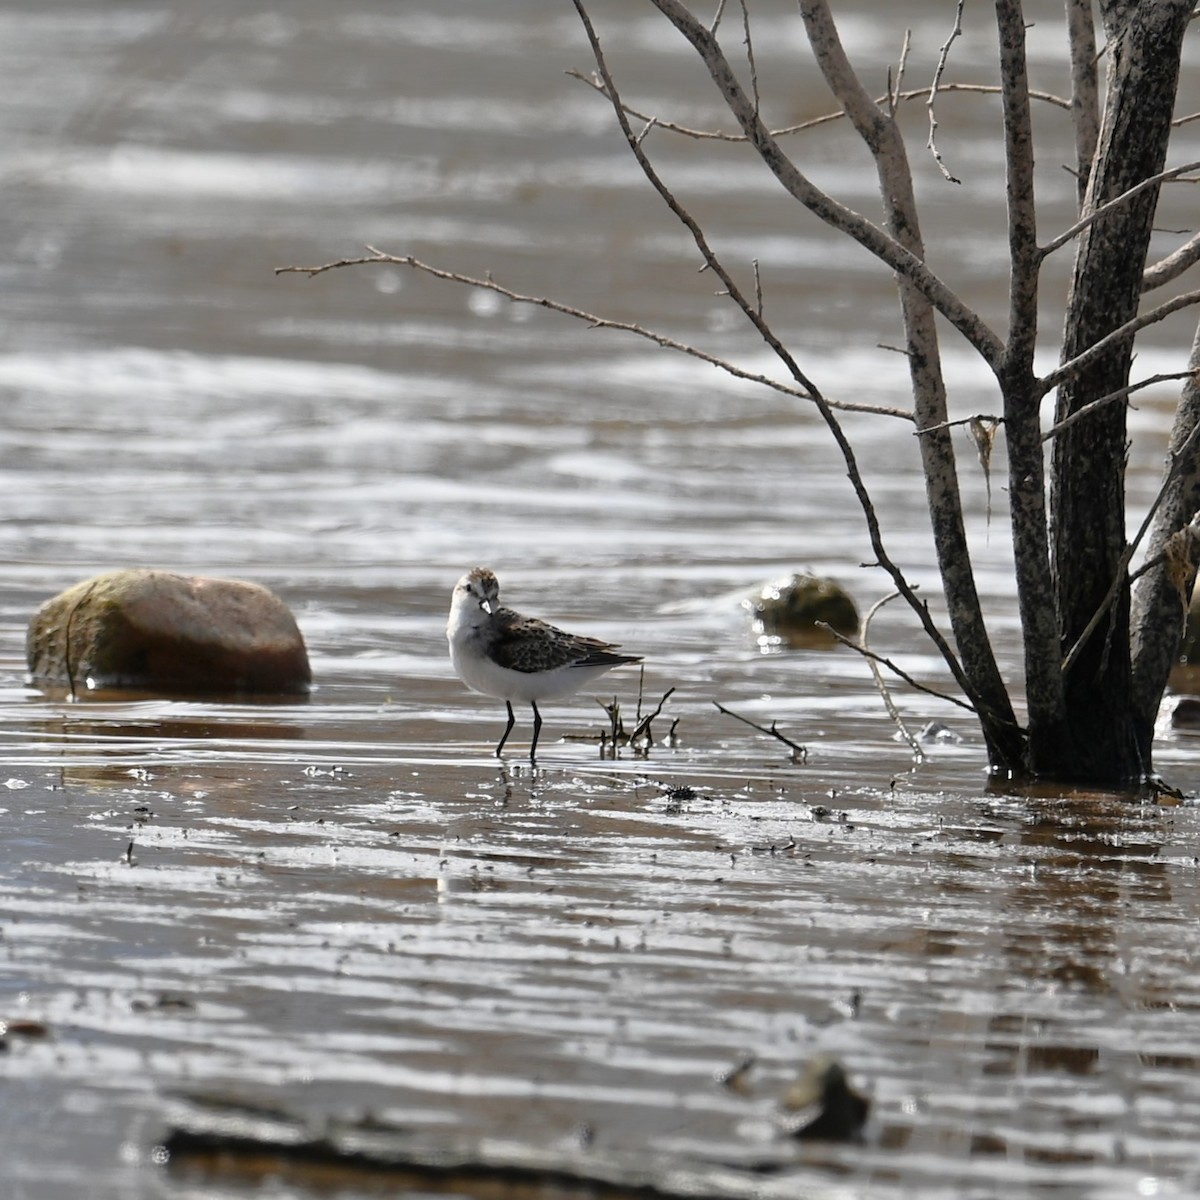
<point>503,655</point>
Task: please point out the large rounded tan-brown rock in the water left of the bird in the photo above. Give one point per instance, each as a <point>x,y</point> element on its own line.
<point>151,631</point>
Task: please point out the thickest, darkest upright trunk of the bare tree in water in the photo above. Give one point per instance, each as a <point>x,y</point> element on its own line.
<point>1088,501</point>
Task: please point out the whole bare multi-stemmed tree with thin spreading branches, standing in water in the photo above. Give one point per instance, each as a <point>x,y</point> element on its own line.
<point>1093,680</point>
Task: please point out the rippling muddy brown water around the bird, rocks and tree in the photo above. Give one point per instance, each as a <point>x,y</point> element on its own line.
<point>347,908</point>
